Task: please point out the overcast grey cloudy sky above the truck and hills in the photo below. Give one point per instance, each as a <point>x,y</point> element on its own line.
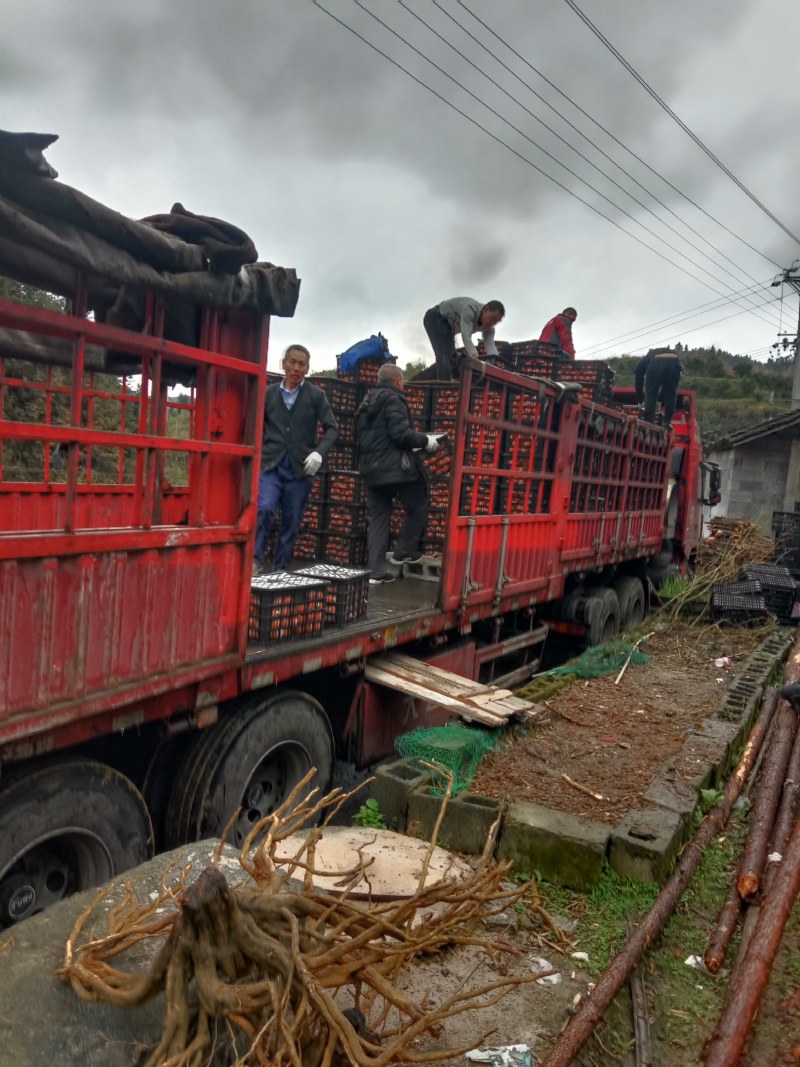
<point>387,200</point>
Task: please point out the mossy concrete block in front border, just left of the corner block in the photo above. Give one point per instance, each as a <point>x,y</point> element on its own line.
<point>566,850</point>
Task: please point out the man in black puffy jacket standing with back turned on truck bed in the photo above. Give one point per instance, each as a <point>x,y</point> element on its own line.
<point>390,465</point>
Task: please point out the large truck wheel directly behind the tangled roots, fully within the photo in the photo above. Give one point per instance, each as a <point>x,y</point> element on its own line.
<point>250,761</point>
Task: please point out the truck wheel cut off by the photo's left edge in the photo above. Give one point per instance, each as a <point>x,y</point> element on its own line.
<point>67,827</point>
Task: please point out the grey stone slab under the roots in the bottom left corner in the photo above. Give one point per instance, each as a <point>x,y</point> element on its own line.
<point>43,1022</point>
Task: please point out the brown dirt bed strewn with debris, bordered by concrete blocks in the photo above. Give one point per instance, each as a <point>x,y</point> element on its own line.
<point>612,738</point>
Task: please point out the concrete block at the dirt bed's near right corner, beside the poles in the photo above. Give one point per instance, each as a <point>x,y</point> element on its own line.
<point>645,846</point>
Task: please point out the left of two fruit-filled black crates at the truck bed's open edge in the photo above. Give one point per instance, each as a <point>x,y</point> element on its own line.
<point>285,606</point>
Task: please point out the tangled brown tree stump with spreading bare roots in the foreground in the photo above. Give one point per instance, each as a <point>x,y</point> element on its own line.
<point>267,974</point>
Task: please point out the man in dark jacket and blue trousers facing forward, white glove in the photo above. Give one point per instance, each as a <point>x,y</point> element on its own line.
<point>291,455</point>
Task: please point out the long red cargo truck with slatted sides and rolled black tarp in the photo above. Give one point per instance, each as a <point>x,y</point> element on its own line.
<point>137,694</point>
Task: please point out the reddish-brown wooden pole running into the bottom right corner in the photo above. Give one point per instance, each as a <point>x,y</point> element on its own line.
<point>728,1044</point>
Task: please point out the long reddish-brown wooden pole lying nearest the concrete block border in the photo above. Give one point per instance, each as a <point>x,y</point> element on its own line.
<point>593,1009</point>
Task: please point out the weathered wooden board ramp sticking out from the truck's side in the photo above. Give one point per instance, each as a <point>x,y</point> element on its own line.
<point>461,696</point>
